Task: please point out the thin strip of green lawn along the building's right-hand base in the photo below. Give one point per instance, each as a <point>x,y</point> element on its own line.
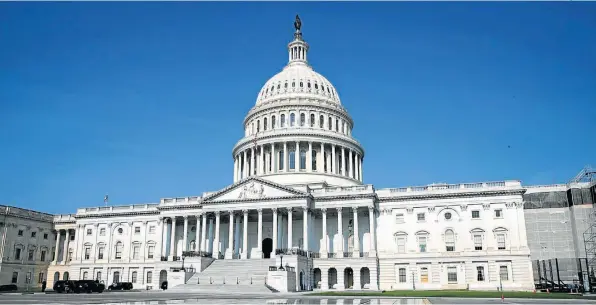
<point>454,294</point>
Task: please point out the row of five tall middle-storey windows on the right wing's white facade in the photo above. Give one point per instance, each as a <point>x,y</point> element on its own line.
<point>400,239</point>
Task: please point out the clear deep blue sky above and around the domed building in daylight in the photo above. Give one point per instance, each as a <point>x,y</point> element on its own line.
<point>146,100</point>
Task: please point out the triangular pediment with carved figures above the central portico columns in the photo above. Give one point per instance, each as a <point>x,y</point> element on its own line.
<point>253,189</point>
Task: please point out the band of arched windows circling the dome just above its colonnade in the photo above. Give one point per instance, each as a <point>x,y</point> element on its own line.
<point>322,123</point>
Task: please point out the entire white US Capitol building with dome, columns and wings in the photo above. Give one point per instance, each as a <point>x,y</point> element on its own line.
<point>298,200</point>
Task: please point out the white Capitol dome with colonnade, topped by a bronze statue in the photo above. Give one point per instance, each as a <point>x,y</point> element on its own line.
<point>298,132</point>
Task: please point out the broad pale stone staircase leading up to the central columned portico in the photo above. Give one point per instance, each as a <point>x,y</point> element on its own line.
<point>231,276</point>
